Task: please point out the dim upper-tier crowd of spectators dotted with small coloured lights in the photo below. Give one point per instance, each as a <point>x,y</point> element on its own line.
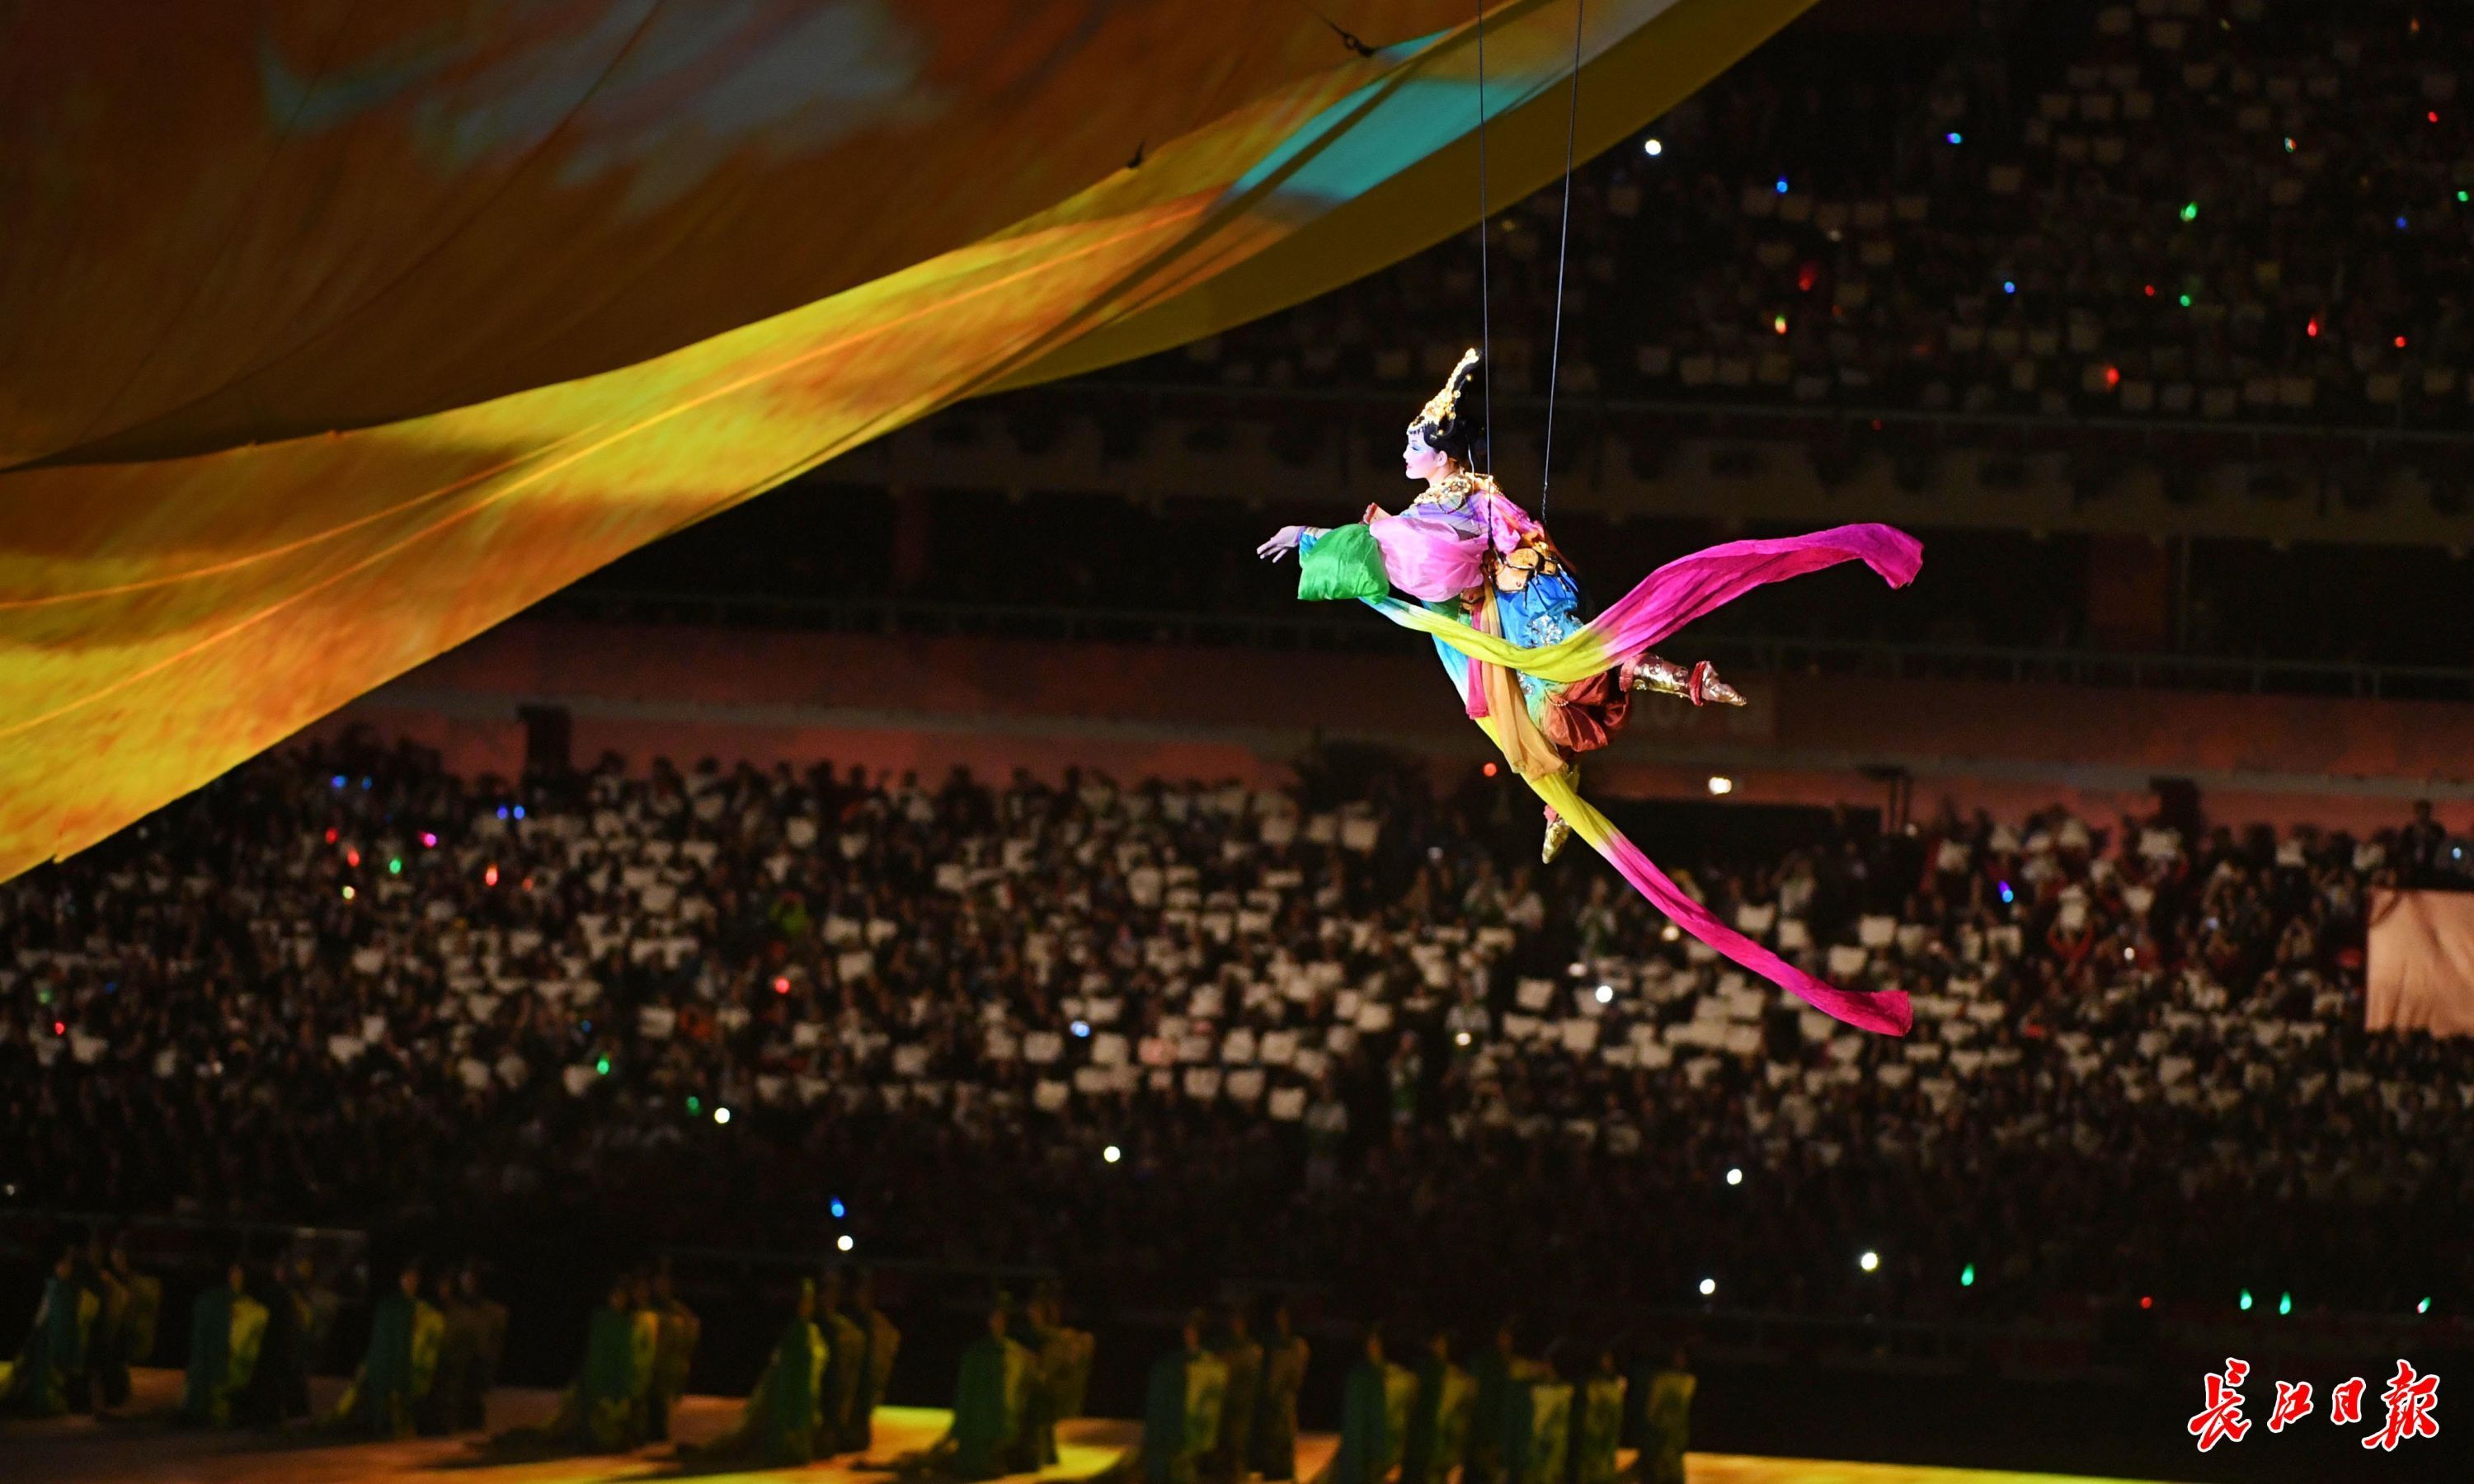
<point>2173,209</point>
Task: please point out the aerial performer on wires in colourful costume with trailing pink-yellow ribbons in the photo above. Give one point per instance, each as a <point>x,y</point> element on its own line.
<point>1505,615</point>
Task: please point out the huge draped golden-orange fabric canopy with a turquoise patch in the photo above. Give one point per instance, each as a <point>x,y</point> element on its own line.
<point>338,333</point>
